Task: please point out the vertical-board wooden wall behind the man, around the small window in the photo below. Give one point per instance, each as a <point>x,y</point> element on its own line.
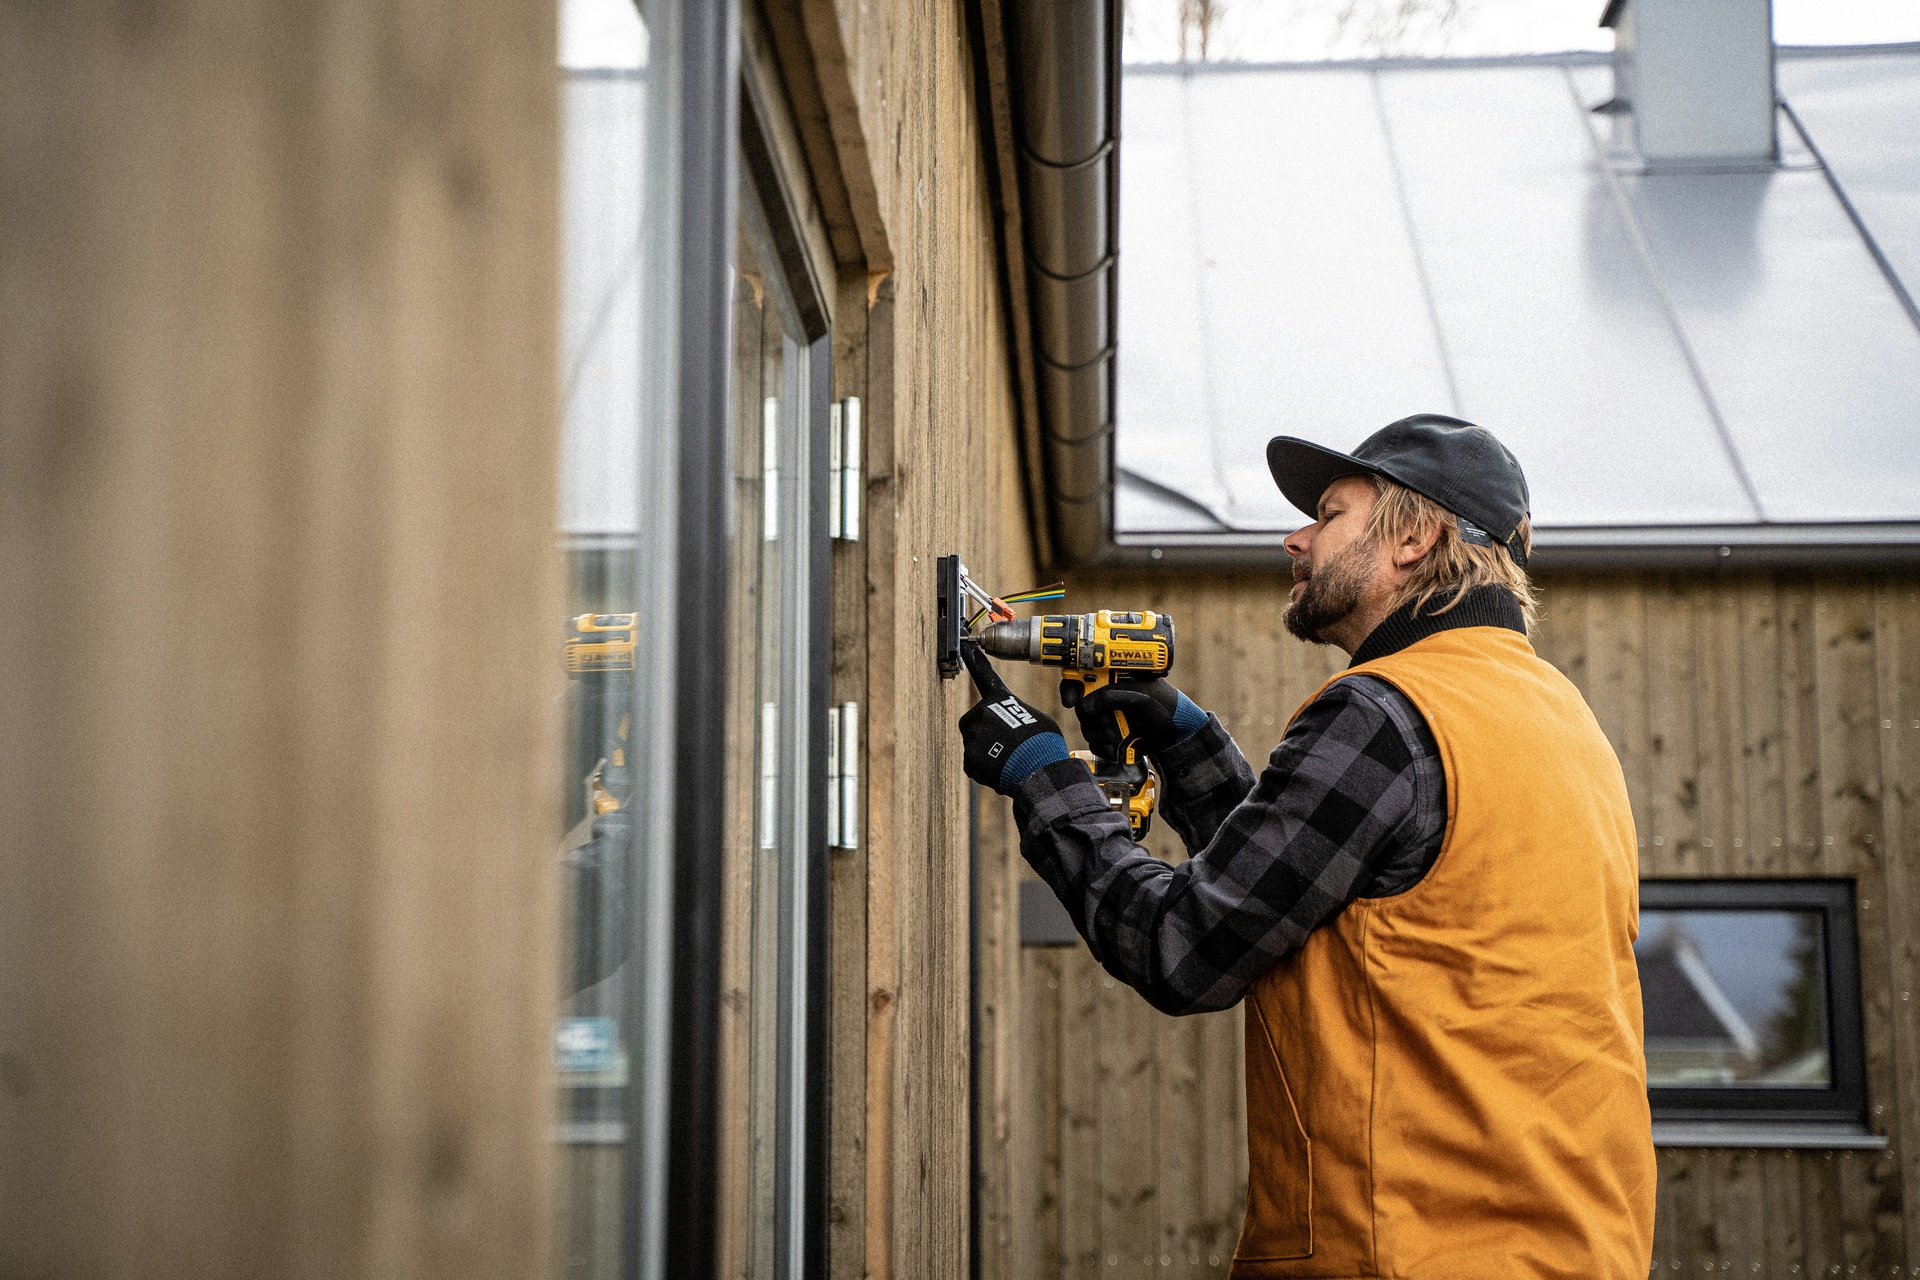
<point>1769,724</point>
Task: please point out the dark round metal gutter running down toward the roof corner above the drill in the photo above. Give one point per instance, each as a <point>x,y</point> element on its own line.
<point>1065,70</point>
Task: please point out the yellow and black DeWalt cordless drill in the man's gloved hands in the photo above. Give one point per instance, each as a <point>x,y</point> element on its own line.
<point>1093,652</point>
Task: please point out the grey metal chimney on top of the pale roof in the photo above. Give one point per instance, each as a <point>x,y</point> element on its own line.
<point>1698,78</point>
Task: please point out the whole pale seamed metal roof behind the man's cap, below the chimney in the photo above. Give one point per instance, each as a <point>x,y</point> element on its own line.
<point>1675,358</point>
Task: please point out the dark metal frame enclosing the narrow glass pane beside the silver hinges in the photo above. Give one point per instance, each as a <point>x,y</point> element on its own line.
<point>708,139</point>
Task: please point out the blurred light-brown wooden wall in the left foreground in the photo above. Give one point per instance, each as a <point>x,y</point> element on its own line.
<point>277,477</point>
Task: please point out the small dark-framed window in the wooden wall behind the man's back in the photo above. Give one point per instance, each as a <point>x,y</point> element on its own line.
<point>1752,997</point>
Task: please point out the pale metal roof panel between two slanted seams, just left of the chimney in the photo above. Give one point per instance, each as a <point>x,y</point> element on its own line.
<point>1558,337</point>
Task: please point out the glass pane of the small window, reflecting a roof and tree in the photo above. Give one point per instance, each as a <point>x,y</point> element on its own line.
<point>1735,999</point>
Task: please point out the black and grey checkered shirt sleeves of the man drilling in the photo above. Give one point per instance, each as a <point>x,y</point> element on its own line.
<point>1351,799</point>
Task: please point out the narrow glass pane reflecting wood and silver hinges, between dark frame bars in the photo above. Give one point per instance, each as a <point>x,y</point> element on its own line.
<point>779,653</point>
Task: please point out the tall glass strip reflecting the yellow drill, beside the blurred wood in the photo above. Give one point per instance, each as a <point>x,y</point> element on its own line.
<point>604,527</point>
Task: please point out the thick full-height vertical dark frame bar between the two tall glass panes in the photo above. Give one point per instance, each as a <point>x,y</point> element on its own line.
<point>694,110</point>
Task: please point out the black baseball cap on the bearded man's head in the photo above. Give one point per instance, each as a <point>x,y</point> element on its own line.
<point>1454,463</point>
